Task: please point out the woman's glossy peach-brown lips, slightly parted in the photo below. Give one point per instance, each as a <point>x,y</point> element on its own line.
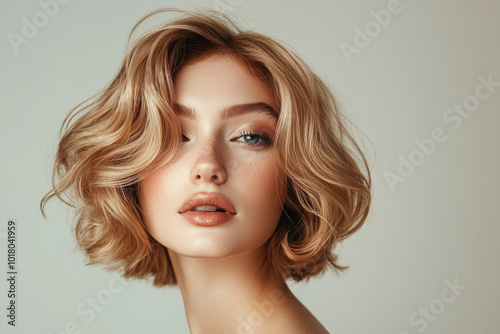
<point>205,218</point>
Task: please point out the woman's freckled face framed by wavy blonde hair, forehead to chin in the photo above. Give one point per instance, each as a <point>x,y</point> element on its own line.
<point>221,153</point>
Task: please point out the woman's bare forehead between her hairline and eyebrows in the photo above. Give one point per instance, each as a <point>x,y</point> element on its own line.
<point>218,80</point>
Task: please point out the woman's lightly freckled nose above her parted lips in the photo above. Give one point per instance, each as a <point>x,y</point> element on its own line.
<point>208,166</point>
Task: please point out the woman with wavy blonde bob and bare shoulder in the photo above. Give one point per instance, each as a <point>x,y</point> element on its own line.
<point>215,160</point>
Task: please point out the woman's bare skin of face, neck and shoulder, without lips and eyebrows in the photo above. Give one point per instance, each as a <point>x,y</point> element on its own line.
<point>226,284</point>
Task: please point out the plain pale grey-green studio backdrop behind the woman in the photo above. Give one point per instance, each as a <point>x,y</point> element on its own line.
<point>437,228</point>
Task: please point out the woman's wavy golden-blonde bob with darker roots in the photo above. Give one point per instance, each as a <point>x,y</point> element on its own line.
<point>128,130</point>
